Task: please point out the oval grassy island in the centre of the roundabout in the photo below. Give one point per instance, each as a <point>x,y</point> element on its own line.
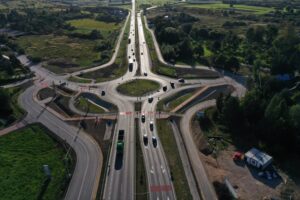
<point>138,87</point>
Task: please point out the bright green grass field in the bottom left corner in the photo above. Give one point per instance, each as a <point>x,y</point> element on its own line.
<point>23,154</point>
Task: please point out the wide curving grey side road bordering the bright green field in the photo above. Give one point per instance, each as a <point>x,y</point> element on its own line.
<point>85,179</point>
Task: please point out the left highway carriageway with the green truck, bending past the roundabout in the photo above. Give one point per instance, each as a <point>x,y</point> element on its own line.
<point>120,179</point>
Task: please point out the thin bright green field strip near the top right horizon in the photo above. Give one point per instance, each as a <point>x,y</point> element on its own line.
<point>245,8</point>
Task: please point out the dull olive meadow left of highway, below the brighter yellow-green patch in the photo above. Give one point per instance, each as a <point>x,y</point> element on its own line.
<point>68,54</point>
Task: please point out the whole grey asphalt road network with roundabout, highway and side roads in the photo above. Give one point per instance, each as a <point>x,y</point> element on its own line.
<point>120,177</point>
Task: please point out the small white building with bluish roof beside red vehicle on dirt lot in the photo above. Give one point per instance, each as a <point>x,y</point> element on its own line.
<point>258,159</point>
